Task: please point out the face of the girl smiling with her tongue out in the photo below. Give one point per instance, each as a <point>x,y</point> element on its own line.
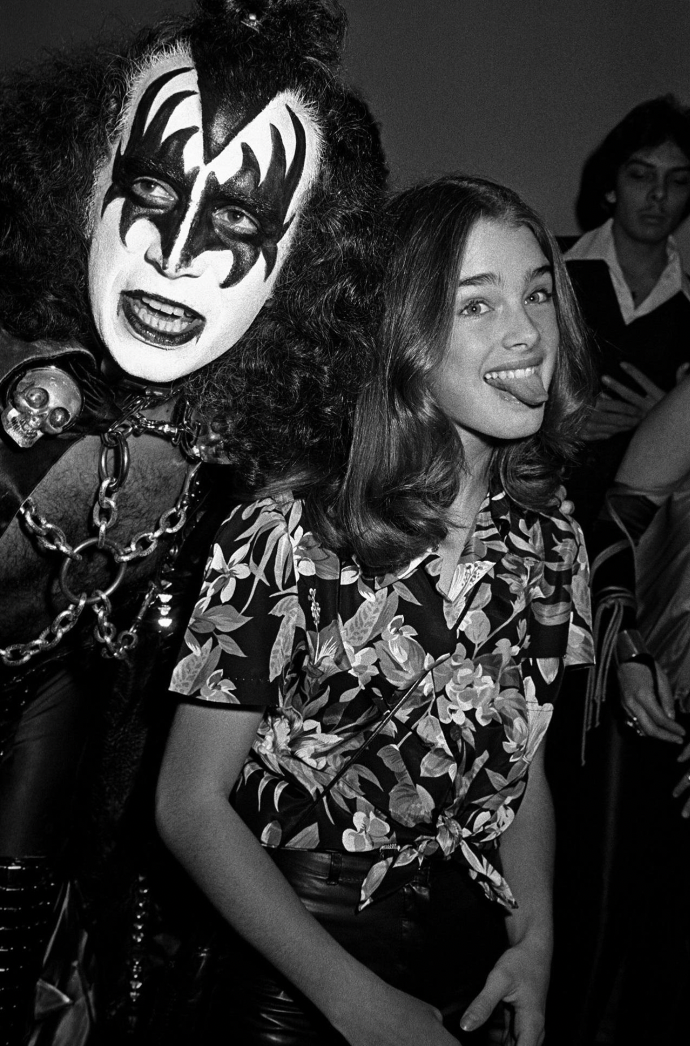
<point>494,380</point>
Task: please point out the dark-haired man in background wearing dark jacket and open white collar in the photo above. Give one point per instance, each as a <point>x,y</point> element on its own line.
<point>630,282</point>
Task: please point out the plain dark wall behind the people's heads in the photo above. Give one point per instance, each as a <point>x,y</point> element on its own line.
<point>519,90</point>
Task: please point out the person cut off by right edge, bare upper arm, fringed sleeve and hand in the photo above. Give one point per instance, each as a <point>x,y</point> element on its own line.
<point>641,589</point>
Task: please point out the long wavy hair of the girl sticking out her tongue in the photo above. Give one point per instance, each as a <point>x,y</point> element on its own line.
<point>406,465</point>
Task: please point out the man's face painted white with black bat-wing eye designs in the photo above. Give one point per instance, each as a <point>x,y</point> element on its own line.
<point>193,219</point>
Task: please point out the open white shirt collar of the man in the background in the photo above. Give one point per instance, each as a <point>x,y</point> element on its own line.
<point>599,245</point>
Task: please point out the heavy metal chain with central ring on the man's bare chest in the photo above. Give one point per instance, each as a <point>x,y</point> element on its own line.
<point>113,471</point>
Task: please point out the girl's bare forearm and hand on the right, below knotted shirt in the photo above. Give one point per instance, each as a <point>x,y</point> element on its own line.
<point>521,976</point>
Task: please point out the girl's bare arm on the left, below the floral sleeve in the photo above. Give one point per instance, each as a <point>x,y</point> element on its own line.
<point>204,758</point>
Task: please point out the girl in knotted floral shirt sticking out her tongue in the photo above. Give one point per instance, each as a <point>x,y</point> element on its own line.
<point>372,675</point>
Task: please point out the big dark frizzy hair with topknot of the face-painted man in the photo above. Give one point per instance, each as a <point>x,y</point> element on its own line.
<point>282,399</point>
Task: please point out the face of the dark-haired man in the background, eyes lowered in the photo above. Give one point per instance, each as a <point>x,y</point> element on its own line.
<point>653,190</point>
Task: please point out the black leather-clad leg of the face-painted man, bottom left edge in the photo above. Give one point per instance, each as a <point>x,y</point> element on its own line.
<point>43,733</point>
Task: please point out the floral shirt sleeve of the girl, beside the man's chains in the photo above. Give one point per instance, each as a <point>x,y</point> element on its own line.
<point>241,638</point>
